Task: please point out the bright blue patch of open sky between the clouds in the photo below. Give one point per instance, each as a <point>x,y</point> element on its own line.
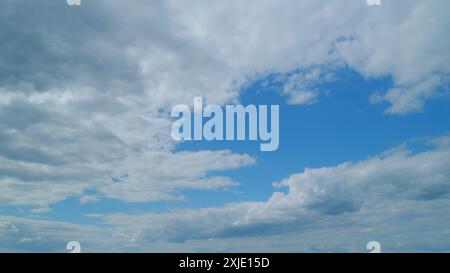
<point>343,125</point>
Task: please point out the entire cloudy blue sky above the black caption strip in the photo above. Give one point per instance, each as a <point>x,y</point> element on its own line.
<point>86,153</point>
